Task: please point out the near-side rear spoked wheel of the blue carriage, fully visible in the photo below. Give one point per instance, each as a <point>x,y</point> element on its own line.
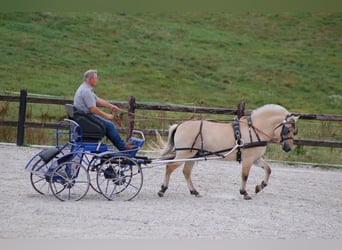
<point>69,181</point>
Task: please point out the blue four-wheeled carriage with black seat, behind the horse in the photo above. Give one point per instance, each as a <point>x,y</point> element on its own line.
<point>69,169</point>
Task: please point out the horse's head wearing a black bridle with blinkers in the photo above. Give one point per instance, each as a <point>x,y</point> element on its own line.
<point>286,130</point>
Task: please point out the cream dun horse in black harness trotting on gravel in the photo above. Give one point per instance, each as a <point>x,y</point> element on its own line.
<point>247,136</point>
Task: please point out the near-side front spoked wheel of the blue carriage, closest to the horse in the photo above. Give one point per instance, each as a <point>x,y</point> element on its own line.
<point>120,178</point>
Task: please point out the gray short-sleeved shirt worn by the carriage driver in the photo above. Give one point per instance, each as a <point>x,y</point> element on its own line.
<point>84,98</point>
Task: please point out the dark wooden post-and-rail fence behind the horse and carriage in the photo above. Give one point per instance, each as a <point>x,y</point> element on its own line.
<point>132,106</point>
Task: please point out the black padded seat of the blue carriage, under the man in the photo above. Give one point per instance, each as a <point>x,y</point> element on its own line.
<point>92,129</point>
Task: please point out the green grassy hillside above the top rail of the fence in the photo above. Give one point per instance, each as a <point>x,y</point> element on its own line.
<point>208,59</point>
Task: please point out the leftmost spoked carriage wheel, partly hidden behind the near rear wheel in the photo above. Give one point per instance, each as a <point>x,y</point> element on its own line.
<point>38,177</point>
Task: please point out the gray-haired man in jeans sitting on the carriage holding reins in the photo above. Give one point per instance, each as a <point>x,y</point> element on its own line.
<point>85,100</point>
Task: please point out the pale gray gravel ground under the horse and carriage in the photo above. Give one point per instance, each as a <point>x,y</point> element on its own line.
<point>300,202</point>
